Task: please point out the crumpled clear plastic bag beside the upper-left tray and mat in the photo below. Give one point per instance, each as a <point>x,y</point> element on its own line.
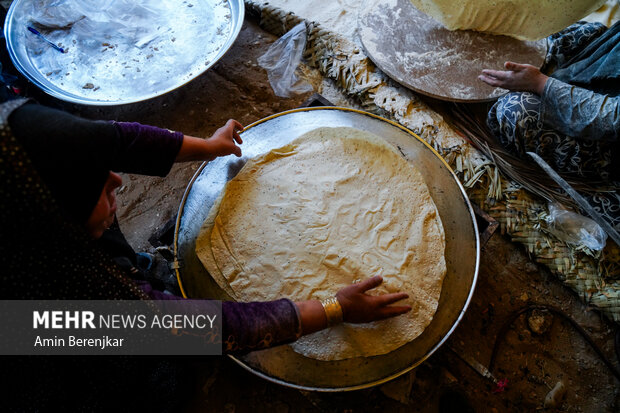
<point>281,61</point>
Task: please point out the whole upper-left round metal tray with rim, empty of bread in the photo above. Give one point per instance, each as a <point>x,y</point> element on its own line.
<point>110,68</point>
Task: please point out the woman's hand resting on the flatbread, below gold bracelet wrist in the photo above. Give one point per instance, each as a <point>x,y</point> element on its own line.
<point>359,307</point>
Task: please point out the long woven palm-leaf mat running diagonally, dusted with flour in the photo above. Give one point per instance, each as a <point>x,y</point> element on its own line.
<point>498,183</point>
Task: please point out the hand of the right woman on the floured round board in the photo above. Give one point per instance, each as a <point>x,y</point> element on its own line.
<point>517,77</point>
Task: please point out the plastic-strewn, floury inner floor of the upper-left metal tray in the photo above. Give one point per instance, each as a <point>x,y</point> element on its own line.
<point>116,48</point>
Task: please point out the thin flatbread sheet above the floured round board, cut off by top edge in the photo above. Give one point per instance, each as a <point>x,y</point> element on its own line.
<point>523,19</point>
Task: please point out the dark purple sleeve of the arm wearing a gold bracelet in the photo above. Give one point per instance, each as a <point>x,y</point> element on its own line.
<point>250,326</point>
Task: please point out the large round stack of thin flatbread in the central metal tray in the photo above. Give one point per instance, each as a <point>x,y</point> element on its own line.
<point>307,219</point>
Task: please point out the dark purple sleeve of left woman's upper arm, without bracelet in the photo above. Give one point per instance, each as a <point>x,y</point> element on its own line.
<point>146,150</point>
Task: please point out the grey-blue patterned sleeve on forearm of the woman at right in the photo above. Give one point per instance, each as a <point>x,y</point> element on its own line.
<point>580,113</point>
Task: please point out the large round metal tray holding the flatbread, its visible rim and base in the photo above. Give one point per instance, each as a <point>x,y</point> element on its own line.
<point>281,364</point>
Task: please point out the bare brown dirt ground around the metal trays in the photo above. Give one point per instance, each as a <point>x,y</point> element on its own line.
<point>237,88</point>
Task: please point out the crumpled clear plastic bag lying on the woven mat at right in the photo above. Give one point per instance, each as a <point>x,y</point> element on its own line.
<point>573,228</point>
